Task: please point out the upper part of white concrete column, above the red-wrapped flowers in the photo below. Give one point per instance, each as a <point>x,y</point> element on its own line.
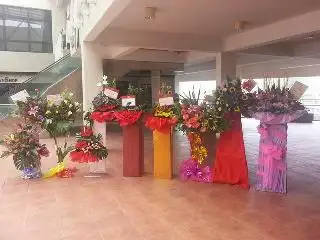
<point>92,71</point>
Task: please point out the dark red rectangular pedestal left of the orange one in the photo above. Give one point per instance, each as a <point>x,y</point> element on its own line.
<point>133,150</point>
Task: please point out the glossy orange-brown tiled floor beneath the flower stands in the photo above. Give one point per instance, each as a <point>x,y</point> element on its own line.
<point>145,208</point>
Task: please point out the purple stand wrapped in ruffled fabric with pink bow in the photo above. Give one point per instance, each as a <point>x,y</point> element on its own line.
<point>272,166</point>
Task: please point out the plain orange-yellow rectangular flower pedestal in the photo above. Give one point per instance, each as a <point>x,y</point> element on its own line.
<point>163,152</point>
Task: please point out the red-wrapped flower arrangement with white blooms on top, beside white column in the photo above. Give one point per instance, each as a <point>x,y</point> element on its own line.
<point>103,105</point>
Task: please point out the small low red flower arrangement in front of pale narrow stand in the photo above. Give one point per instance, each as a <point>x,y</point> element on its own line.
<point>88,147</point>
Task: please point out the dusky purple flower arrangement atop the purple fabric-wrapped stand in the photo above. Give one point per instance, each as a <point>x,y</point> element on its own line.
<point>275,99</point>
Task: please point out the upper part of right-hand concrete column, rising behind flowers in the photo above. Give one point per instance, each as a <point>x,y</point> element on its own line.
<point>225,66</point>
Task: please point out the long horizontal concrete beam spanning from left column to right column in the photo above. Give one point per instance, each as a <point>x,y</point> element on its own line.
<point>157,40</point>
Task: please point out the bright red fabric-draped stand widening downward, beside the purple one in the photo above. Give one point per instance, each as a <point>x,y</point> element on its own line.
<point>230,165</point>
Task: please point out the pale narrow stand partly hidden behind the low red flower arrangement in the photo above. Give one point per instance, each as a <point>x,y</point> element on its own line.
<point>100,166</point>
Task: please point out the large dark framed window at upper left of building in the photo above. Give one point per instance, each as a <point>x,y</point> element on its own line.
<point>25,29</point>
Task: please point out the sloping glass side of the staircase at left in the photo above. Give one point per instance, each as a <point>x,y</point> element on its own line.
<point>44,80</point>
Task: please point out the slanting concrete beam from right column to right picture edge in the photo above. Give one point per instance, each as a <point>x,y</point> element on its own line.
<point>274,32</point>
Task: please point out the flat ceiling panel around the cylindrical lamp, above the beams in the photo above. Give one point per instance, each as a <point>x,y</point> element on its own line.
<point>209,17</point>
